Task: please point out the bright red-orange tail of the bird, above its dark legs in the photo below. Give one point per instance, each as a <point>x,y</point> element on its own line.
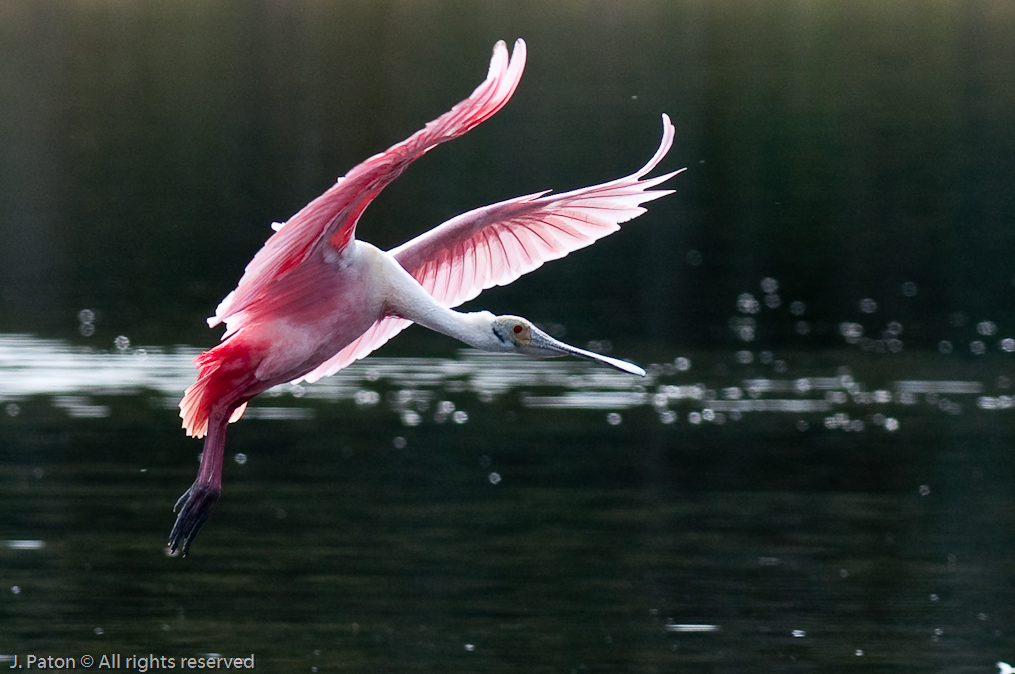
<point>223,373</point>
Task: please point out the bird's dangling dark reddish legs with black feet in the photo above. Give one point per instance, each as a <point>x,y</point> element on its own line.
<point>195,506</point>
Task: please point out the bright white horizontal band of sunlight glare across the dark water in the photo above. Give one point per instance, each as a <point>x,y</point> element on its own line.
<point>73,376</point>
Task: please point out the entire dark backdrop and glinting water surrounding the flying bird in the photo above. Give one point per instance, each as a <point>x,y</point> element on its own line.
<point>816,477</point>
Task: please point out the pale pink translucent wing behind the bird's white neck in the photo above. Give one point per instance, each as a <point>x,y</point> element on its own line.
<point>495,245</point>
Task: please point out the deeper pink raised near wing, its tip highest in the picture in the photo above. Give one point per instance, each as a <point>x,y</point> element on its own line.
<point>331,219</point>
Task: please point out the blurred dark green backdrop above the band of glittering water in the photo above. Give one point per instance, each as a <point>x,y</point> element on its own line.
<point>841,149</point>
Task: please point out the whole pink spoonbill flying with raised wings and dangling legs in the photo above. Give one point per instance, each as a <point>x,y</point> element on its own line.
<point>315,299</point>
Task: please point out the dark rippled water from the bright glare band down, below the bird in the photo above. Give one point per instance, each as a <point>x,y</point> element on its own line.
<point>497,513</point>
